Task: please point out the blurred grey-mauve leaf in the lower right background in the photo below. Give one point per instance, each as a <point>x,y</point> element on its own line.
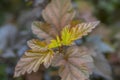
<point>102,66</point>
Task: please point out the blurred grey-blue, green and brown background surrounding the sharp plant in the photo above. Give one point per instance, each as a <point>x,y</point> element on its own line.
<point>16,17</point>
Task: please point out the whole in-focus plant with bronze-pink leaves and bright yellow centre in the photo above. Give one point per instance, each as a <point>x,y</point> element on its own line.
<point>72,59</point>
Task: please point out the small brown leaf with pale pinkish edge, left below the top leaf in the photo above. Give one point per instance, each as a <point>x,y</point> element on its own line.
<point>43,30</point>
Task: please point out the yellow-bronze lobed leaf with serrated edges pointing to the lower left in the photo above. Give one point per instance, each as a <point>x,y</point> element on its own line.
<point>32,59</point>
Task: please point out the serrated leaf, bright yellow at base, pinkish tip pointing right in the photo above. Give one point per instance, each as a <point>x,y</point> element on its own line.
<point>71,33</point>
